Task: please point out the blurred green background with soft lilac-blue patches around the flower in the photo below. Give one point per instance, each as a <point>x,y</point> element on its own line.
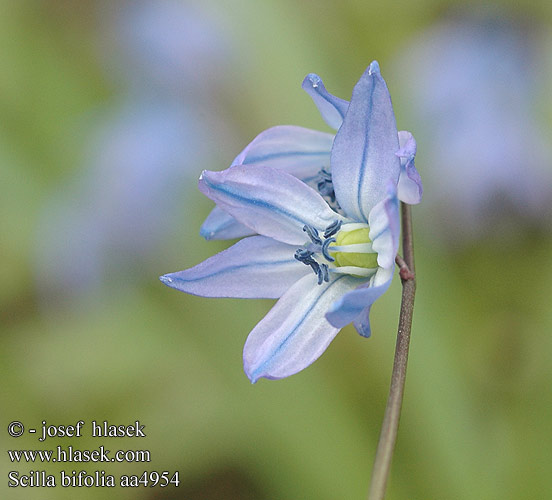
<point>108,113</point>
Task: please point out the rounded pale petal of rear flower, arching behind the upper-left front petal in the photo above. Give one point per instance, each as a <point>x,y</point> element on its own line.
<point>299,151</point>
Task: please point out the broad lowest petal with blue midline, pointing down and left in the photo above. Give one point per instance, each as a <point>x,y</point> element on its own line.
<point>295,332</point>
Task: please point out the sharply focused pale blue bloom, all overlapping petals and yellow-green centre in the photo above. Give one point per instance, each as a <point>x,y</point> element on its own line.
<point>323,213</point>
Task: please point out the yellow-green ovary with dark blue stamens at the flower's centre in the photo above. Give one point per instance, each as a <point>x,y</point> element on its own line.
<point>349,252</point>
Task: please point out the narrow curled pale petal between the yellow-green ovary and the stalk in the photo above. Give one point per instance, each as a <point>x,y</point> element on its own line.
<point>385,228</point>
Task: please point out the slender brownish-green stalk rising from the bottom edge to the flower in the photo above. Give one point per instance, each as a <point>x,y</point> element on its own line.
<point>389,429</point>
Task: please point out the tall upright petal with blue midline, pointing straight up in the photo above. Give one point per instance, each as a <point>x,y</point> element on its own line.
<point>363,156</point>
